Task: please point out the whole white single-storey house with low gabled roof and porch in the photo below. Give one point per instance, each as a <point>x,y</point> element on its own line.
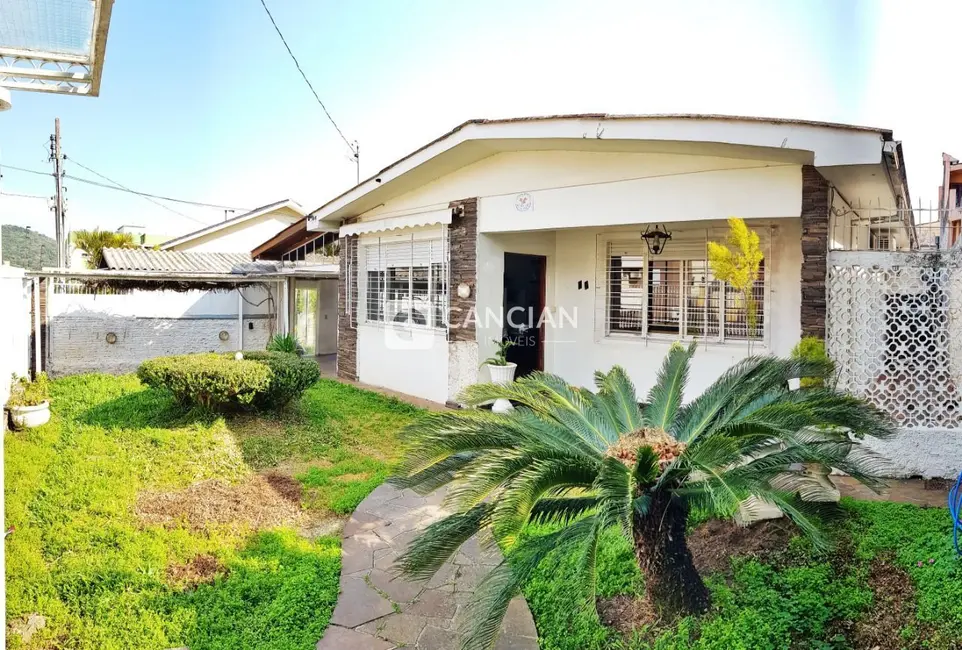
<point>532,229</point>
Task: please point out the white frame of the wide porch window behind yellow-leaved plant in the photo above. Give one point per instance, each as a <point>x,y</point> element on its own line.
<point>606,243</point>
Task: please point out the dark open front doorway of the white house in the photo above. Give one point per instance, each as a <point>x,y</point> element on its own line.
<point>523,305</point>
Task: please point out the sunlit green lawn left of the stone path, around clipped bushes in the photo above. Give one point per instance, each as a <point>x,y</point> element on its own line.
<point>104,579</point>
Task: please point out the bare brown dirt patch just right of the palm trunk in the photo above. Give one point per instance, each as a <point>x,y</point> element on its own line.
<point>716,542</point>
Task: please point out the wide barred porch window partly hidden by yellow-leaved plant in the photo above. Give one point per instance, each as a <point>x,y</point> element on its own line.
<point>678,296</point>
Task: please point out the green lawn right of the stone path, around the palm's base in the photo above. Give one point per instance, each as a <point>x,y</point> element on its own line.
<point>892,581</point>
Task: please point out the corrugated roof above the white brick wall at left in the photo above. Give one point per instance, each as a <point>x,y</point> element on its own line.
<point>140,259</point>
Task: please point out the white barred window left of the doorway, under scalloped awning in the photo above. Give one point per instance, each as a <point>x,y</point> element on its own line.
<point>405,282</point>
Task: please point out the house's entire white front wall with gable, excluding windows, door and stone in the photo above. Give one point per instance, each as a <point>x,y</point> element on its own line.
<point>613,189</point>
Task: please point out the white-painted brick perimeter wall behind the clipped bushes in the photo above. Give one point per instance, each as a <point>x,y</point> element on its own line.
<point>151,324</point>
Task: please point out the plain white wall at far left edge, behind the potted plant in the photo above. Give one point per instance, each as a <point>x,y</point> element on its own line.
<point>14,328</point>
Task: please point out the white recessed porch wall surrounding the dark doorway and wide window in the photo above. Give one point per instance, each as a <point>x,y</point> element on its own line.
<point>576,352</point>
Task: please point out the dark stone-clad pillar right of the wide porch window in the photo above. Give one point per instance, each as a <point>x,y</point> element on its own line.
<point>815,218</point>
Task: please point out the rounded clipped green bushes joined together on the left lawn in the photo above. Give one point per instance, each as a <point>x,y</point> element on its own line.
<point>261,380</point>
